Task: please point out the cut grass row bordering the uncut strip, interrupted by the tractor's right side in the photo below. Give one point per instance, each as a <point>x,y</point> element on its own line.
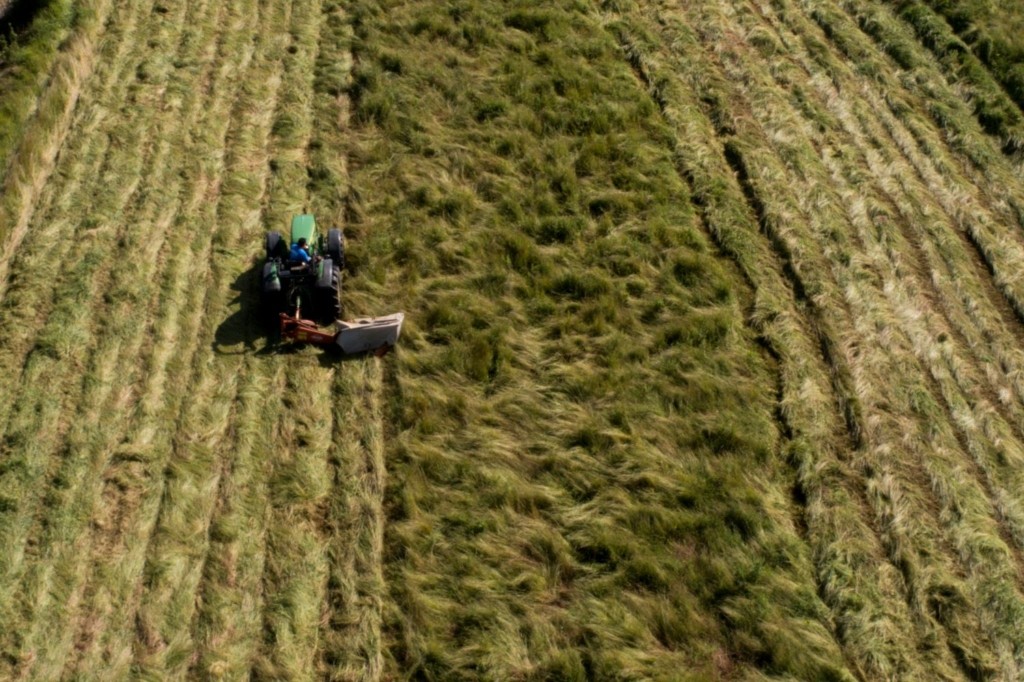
<point>351,645</point>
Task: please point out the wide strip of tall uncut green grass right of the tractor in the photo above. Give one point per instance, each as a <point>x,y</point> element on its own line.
<point>583,467</point>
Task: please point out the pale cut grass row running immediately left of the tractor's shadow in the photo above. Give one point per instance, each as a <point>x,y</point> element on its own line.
<point>221,421</point>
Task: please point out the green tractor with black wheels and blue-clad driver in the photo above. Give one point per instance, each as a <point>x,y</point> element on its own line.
<point>313,287</point>
